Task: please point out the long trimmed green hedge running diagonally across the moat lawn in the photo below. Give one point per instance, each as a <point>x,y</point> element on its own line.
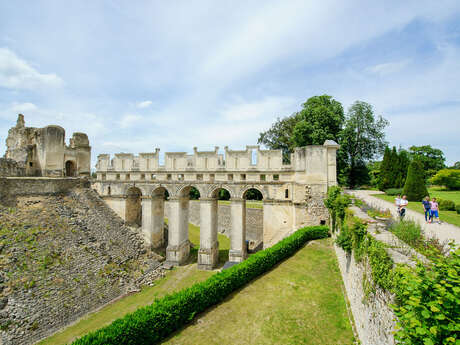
<point>151,324</point>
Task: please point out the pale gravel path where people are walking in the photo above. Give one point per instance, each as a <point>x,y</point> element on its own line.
<point>445,232</point>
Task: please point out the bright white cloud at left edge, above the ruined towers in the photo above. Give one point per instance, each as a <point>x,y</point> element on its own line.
<point>16,73</point>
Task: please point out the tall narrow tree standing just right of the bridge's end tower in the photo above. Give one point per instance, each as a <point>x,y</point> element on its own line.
<point>362,139</point>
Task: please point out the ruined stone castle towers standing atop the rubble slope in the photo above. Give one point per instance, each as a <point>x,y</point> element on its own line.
<point>43,152</point>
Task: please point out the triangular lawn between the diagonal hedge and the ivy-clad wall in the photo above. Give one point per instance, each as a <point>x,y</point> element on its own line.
<point>298,302</point>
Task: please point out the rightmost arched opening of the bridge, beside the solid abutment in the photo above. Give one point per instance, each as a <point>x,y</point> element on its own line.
<point>254,219</point>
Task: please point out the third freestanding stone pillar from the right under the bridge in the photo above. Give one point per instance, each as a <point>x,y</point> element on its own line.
<point>178,244</point>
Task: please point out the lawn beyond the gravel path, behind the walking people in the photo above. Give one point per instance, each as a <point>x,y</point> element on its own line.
<point>451,217</point>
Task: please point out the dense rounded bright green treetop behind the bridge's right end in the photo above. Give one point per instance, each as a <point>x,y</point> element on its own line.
<point>320,119</point>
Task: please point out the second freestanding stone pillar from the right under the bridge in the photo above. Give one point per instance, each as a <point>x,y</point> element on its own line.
<point>208,254</point>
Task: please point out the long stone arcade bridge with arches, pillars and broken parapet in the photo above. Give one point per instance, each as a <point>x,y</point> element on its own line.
<point>135,188</point>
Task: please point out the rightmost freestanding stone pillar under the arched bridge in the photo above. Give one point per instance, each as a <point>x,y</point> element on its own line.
<point>238,233</point>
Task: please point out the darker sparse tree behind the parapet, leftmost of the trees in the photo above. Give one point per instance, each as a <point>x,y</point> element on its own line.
<point>279,136</point>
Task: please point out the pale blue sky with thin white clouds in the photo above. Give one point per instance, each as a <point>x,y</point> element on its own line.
<point>136,75</point>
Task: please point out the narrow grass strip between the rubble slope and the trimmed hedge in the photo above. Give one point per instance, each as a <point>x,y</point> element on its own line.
<point>176,279</point>
